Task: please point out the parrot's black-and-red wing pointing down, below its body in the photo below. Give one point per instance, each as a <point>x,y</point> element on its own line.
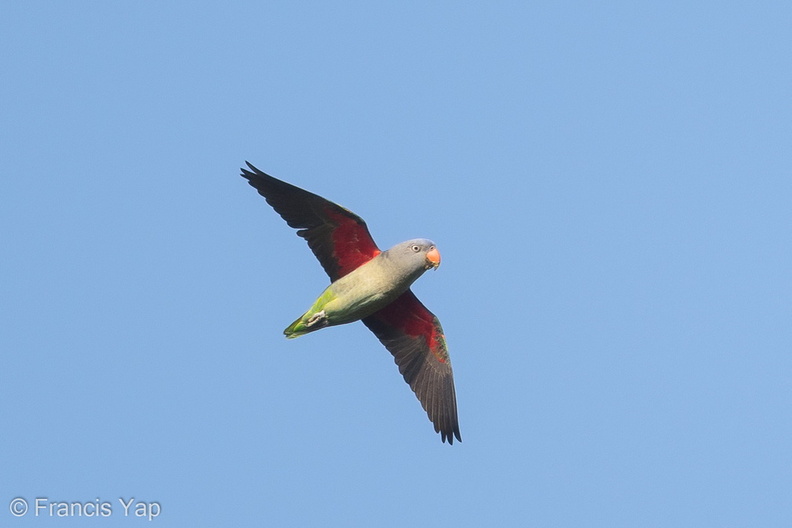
<point>415,338</point>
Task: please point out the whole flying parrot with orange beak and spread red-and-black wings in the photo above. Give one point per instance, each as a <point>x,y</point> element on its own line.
<point>372,286</point>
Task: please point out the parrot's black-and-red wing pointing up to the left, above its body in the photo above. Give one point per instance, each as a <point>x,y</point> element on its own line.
<point>338,237</point>
